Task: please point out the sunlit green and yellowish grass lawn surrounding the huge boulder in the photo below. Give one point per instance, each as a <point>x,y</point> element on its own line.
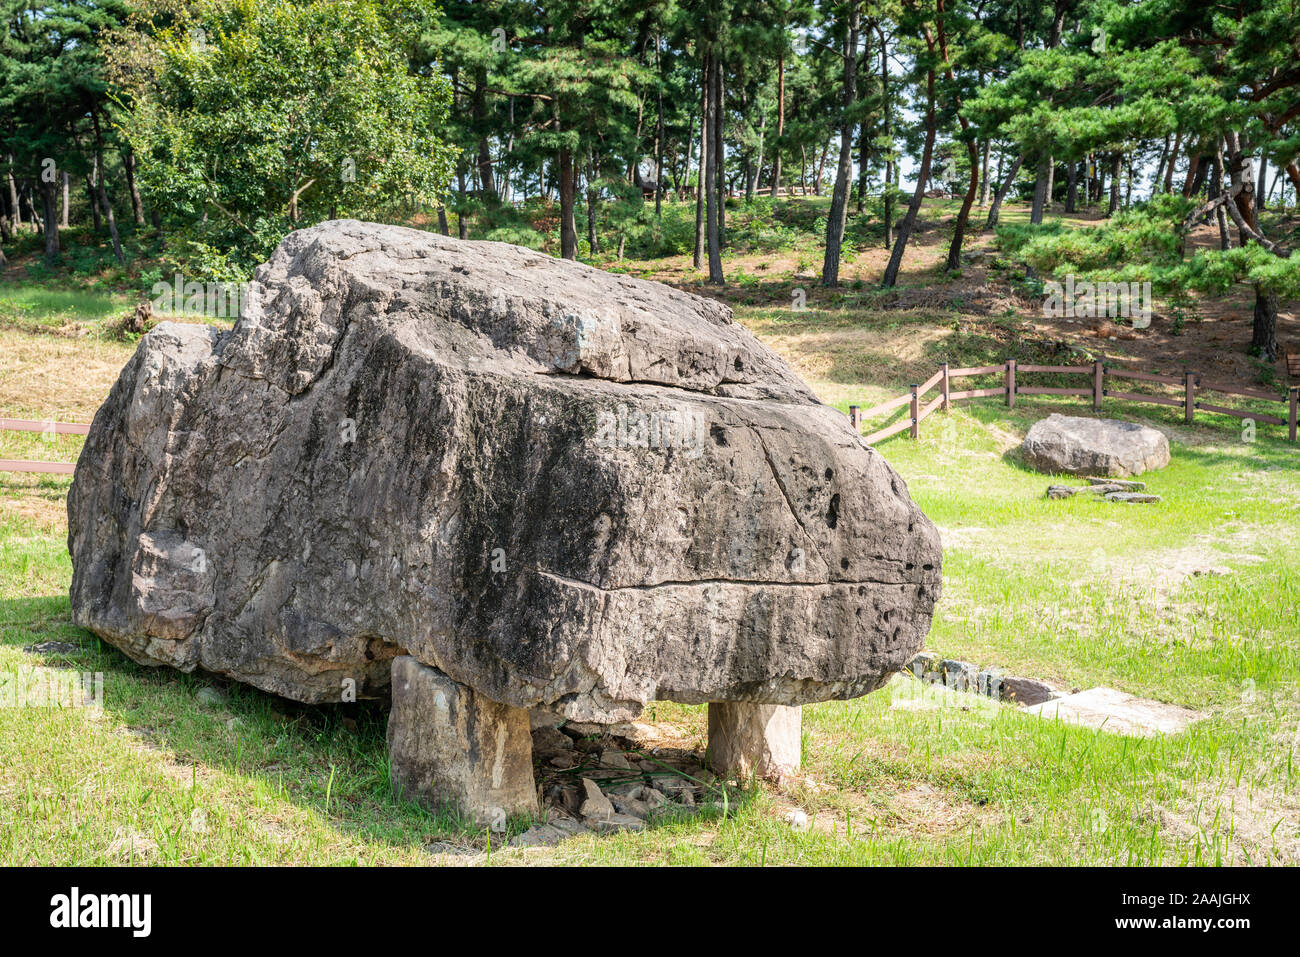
<point>1191,601</point>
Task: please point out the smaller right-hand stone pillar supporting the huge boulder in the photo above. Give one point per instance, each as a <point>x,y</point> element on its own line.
<point>753,739</point>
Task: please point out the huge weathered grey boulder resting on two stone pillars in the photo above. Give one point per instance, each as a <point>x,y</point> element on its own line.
<point>556,487</point>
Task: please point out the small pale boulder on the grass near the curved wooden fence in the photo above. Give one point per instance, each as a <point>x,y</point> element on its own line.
<point>1076,445</point>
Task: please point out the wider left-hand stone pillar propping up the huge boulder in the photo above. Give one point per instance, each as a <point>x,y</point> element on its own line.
<point>449,747</point>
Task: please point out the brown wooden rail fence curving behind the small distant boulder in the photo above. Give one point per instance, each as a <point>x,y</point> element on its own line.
<point>1100,374</point>
